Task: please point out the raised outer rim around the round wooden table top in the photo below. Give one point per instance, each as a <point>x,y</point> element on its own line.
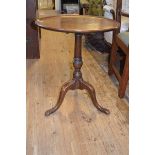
<point>37,22</point>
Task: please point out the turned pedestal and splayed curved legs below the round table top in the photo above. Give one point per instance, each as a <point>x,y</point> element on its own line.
<point>77,82</point>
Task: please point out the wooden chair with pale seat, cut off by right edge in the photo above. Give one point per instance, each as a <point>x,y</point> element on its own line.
<point>120,40</point>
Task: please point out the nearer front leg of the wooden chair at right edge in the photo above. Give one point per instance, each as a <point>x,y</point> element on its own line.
<point>124,78</point>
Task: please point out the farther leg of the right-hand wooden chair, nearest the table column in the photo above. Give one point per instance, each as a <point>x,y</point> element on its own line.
<point>113,56</point>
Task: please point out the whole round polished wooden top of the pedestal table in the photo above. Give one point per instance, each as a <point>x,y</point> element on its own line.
<point>77,23</point>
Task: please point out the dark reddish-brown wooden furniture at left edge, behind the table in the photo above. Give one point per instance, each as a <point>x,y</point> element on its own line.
<point>32,43</point>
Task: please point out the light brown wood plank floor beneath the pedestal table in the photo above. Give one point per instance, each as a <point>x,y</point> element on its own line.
<point>77,128</point>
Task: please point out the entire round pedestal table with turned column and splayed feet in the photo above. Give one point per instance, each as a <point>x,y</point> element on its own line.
<point>78,25</point>
